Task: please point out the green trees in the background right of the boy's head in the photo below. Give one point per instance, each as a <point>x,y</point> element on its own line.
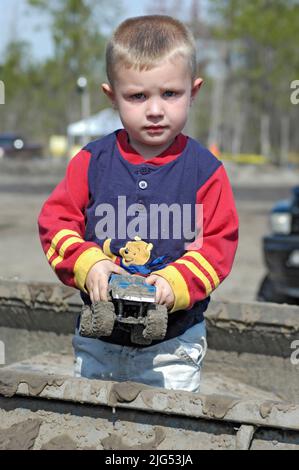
<point>263,57</point>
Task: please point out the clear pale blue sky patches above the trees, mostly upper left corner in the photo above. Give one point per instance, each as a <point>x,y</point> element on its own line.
<point>15,22</point>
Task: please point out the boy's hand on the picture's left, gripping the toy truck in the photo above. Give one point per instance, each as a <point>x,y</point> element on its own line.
<point>98,277</point>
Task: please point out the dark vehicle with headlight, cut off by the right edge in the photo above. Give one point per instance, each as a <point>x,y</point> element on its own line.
<point>281,253</point>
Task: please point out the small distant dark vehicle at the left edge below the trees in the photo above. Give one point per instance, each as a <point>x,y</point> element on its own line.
<point>13,145</point>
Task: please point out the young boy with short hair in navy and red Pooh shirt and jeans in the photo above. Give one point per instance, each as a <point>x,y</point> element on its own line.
<point>106,216</point>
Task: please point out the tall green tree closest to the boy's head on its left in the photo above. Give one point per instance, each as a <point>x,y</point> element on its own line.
<point>77,28</point>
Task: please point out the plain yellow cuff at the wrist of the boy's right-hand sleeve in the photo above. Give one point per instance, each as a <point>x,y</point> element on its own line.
<point>178,285</point>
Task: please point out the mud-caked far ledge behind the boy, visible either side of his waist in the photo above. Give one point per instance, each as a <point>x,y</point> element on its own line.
<point>253,327</point>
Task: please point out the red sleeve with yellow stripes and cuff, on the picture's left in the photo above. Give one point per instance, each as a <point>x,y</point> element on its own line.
<point>62,226</point>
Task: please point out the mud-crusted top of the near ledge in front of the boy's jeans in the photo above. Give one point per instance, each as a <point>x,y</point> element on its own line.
<point>130,395</point>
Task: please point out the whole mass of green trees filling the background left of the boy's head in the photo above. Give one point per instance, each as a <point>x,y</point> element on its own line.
<point>42,97</point>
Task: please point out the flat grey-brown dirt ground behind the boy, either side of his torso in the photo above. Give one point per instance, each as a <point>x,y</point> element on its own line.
<point>22,193</point>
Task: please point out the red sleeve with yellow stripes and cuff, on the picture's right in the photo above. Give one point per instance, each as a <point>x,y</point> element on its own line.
<point>208,260</point>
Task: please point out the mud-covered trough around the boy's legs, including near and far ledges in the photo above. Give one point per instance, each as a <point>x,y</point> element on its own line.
<point>249,386</point>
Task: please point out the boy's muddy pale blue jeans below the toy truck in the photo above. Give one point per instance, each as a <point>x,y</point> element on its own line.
<point>173,364</point>
